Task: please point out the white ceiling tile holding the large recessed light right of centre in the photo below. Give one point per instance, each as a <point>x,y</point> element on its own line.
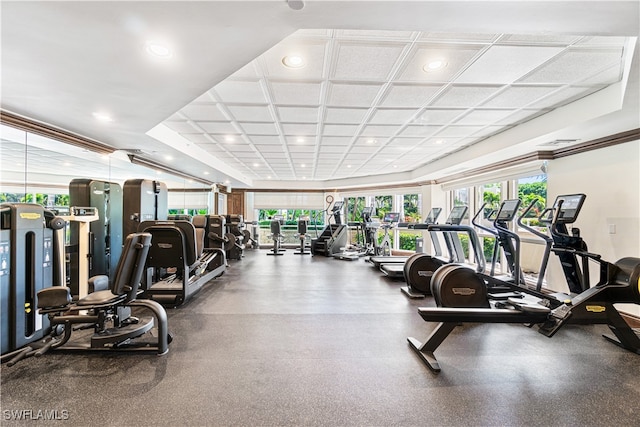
<point>455,56</point>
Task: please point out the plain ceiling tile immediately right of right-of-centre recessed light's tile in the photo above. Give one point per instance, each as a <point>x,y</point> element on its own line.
<point>506,64</point>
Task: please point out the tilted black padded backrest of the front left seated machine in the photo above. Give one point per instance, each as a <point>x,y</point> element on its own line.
<point>131,265</point>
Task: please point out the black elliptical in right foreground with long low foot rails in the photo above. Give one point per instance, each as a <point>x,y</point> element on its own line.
<point>618,282</point>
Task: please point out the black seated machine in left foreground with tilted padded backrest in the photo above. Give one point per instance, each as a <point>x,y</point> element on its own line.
<point>107,312</point>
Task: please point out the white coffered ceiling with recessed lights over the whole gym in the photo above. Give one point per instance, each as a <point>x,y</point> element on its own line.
<point>387,92</point>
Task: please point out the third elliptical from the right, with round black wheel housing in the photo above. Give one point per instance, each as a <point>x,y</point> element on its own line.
<point>419,267</point>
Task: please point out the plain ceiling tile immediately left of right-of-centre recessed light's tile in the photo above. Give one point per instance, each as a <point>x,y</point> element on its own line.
<point>365,61</point>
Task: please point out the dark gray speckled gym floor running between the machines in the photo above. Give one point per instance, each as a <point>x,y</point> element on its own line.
<point>313,341</point>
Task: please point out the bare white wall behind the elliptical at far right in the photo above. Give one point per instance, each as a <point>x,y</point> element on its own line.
<point>610,218</point>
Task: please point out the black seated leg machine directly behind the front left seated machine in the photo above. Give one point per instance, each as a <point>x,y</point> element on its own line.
<point>179,264</point>
